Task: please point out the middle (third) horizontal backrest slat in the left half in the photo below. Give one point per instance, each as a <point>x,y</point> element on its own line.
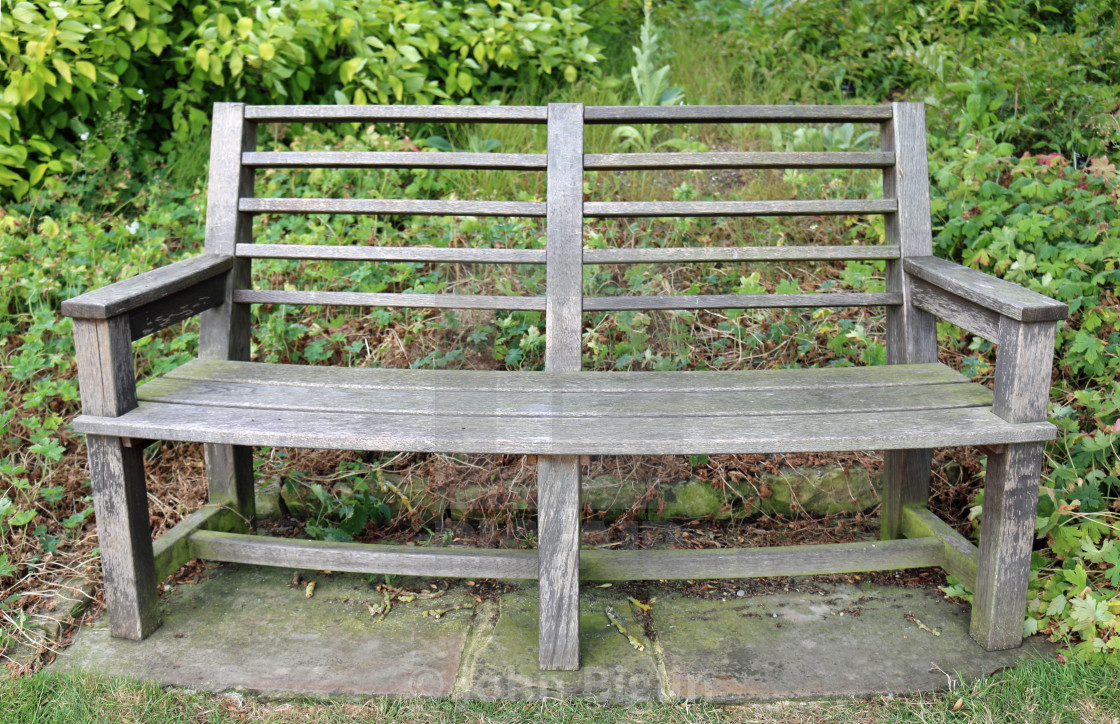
<point>393,207</point>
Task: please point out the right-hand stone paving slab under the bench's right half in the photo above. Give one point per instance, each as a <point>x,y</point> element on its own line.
<point>842,641</point>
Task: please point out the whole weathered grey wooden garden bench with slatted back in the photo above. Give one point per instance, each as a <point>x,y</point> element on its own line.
<point>907,409</point>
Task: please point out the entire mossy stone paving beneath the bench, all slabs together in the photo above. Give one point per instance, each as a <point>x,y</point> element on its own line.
<point>246,629</point>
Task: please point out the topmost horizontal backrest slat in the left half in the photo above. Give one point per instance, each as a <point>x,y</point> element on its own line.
<point>399,114</point>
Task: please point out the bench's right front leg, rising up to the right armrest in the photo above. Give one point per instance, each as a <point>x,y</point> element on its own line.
<point>1023,383</point>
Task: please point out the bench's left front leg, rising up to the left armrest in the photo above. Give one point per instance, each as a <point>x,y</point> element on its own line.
<point>120,497</point>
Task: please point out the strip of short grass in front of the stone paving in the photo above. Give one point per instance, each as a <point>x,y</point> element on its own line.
<point>1039,691</point>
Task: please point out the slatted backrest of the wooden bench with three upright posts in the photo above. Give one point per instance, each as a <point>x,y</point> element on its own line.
<point>906,206</point>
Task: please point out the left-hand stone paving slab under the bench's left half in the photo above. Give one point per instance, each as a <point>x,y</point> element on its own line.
<point>245,629</point>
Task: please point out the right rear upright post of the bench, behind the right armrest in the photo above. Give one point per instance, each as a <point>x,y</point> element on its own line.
<point>912,333</point>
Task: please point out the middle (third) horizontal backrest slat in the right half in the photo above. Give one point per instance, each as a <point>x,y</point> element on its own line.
<point>798,208</point>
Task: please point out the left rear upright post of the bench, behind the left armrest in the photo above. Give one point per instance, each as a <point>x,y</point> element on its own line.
<point>225,331</point>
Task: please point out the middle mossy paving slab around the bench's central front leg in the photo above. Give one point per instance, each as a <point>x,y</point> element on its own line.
<point>501,662</point>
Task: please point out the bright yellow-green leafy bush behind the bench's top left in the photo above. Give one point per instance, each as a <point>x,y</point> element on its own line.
<point>69,64</point>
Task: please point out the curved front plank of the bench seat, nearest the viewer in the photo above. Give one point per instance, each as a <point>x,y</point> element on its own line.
<point>552,435</point>
